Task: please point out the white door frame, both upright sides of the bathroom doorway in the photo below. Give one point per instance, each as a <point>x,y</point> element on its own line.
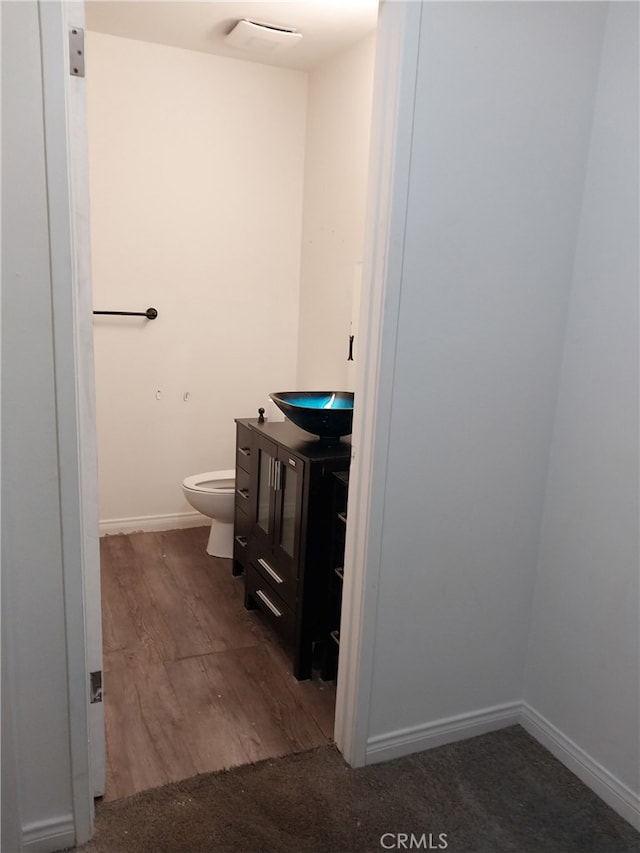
<point>65,108</point>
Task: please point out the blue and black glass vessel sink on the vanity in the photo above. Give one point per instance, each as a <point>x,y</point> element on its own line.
<point>327,414</point>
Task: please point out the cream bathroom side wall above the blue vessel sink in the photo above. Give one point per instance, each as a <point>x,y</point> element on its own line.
<point>335,190</point>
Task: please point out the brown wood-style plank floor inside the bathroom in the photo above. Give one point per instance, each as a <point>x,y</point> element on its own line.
<point>192,681</point>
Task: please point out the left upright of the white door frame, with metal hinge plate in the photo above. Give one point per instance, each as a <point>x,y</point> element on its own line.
<point>66,151</point>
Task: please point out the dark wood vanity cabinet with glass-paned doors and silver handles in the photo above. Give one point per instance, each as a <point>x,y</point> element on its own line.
<point>286,556</point>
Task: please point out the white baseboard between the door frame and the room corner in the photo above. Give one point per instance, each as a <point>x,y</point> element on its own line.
<point>418,738</point>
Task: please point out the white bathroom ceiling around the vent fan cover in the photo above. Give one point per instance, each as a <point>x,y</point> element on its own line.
<point>327,26</point>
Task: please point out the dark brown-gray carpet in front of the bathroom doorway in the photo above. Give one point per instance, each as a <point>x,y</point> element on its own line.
<point>498,793</point>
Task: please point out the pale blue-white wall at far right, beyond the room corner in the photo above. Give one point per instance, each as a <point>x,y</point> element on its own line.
<point>583,669</point>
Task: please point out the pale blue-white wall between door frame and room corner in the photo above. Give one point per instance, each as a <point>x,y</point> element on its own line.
<point>500,136</point>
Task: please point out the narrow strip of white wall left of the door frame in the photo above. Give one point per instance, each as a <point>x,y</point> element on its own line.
<point>34,661</point>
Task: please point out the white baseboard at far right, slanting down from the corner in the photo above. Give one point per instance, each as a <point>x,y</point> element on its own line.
<point>610,789</point>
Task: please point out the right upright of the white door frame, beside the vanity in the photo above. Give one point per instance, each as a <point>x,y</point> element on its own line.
<point>397,53</point>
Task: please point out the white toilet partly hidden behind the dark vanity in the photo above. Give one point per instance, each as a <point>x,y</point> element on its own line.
<point>213,494</point>
